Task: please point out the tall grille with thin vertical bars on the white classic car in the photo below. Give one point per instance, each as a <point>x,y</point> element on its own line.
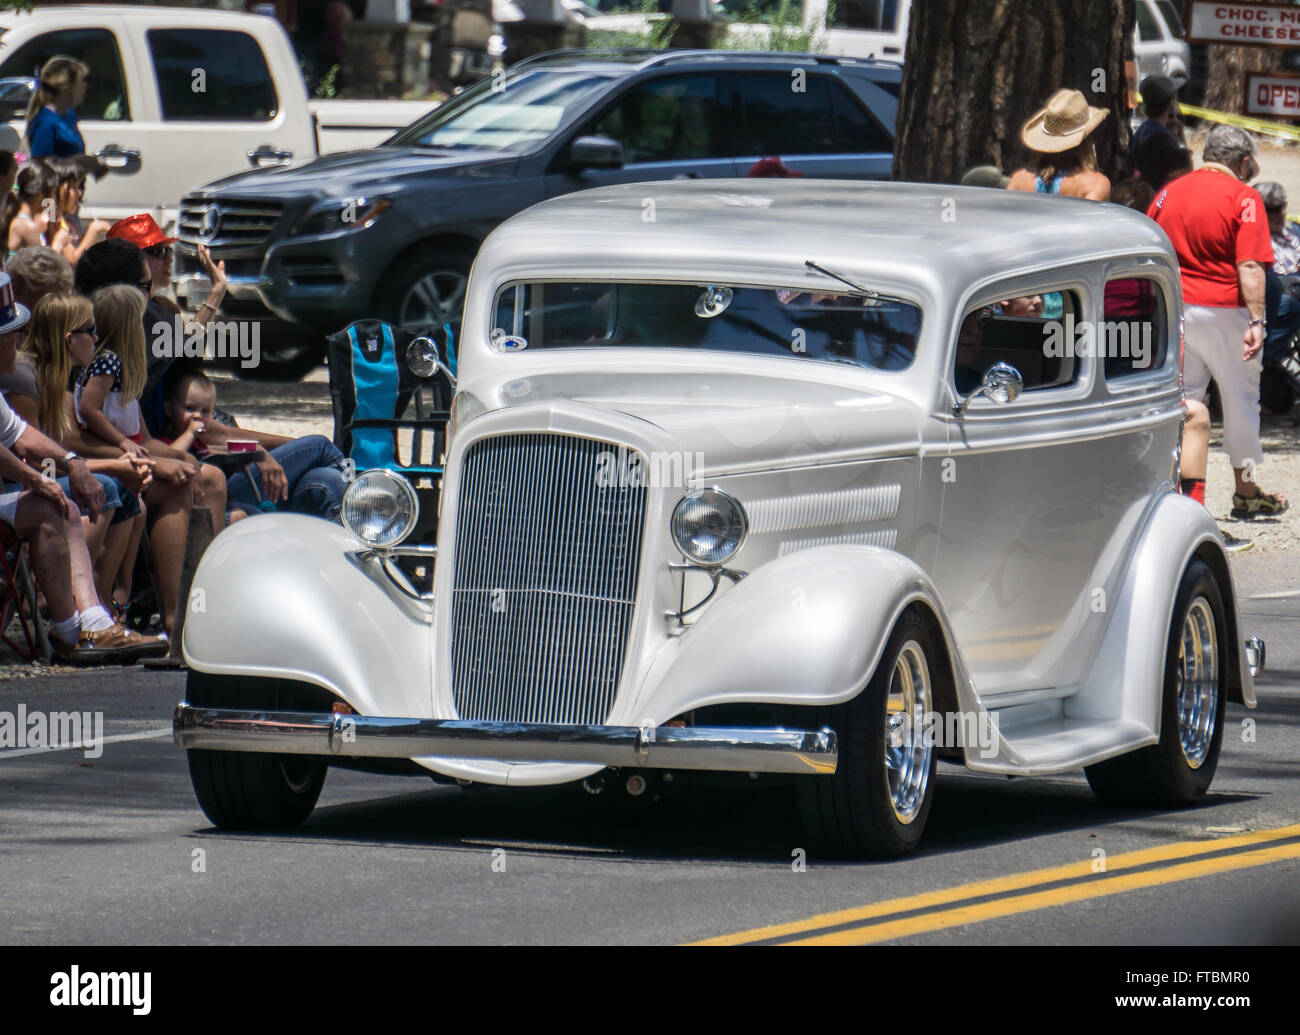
<point>545,581</point>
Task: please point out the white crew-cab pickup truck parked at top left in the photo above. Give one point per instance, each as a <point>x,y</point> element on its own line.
<point>179,98</point>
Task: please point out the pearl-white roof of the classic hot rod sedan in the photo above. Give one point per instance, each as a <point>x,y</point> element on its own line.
<point>939,237</point>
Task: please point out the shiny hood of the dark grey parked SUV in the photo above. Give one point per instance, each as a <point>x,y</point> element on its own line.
<point>374,171</point>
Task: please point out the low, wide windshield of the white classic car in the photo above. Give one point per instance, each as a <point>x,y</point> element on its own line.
<point>878,334</point>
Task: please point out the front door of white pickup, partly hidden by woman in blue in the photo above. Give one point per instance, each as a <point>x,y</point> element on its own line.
<point>112,116</point>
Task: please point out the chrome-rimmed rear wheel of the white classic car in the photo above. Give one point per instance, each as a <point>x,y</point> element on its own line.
<point>1178,770</point>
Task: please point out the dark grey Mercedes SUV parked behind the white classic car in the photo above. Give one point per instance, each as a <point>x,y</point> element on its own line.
<point>393,232</point>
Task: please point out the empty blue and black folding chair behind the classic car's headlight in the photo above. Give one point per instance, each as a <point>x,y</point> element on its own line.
<point>388,417</point>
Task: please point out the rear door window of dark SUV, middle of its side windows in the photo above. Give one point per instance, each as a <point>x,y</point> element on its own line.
<point>783,122</point>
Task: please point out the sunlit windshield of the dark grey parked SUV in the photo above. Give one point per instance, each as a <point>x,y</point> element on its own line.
<point>505,115</point>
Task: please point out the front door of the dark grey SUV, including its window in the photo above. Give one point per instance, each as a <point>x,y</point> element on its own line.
<point>671,127</point>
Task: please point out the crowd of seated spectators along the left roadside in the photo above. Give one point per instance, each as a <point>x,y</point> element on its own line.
<point>103,434</point>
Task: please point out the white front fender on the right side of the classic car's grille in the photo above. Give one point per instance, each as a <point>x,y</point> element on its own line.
<point>808,629</point>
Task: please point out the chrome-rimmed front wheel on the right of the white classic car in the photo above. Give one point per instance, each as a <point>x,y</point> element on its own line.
<point>878,802</point>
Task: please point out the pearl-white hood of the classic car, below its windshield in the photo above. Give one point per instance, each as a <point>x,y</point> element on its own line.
<point>740,422</point>
